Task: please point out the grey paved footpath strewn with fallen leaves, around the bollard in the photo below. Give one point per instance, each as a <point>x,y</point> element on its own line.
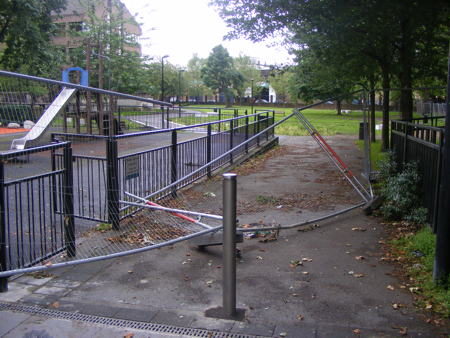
<point>309,283</point>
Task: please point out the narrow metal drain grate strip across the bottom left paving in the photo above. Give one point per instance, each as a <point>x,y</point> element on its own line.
<point>129,324</point>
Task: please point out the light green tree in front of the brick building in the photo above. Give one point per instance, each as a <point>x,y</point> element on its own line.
<point>114,64</point>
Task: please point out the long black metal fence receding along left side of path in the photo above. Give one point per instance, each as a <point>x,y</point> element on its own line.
<point>146,162</point>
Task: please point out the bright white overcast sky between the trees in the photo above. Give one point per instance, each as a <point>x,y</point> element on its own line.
<point>182,28</point>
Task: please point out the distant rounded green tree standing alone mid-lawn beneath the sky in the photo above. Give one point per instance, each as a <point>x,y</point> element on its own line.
<point>220,74</point>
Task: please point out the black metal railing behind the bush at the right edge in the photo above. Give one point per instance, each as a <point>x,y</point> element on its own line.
<point>416,141</point>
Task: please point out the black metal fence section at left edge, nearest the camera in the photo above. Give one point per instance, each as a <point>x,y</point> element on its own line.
<point>31,227</point>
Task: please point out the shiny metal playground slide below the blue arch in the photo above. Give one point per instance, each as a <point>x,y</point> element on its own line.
<point>33,136</point>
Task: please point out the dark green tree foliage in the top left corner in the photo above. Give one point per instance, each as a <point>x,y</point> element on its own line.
<point>26,29</point>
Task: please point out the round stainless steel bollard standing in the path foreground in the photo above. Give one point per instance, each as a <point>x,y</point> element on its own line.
<point>229,245</point>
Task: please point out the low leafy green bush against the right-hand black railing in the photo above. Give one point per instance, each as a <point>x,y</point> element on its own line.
<point>400,190</point>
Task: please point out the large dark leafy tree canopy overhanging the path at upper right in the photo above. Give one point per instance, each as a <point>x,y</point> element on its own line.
<point>396,36</point>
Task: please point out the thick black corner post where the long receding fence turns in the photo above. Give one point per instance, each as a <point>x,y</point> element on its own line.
<point>112,182</point>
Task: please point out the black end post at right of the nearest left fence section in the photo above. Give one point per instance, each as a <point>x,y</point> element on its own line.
<point>69,220</point>
